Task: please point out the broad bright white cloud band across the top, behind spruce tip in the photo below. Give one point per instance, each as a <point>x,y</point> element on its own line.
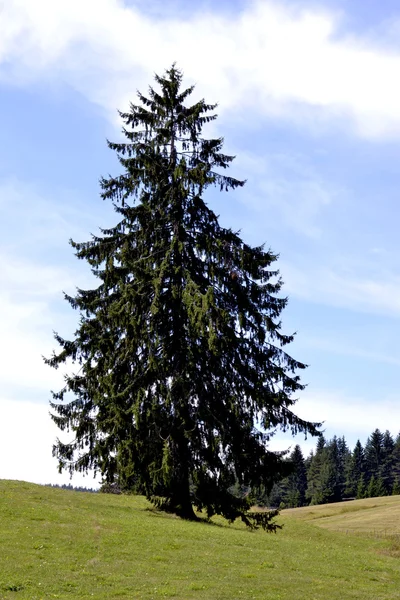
<point>268,59</point>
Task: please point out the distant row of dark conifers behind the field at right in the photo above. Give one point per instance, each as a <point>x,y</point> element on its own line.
<point>333,472</point>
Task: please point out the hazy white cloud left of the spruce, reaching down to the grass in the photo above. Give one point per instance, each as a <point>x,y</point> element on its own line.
<point>31,306</point>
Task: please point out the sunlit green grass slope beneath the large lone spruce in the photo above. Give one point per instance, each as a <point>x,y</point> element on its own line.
<point>63,544</point>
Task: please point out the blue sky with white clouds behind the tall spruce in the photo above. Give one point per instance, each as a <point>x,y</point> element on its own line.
<point>308,100</point>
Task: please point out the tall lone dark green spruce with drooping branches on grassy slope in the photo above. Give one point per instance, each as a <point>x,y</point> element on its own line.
<point>182,371</point>
